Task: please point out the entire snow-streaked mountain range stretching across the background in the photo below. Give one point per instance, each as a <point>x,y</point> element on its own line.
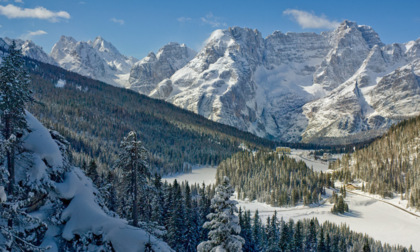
<point>337,86</point>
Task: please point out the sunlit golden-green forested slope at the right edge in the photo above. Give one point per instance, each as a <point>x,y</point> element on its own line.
<point>389,165</point>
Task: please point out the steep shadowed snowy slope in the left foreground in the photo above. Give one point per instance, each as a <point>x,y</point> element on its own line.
<point>66,201</point>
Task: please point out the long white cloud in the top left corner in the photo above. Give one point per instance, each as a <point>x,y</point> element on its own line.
<point>12,11</point>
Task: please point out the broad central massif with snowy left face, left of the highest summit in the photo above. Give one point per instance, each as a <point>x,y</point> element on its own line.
<point>249,82</point>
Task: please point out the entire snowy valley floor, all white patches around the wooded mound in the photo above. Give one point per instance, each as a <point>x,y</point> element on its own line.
<point>368,213</point>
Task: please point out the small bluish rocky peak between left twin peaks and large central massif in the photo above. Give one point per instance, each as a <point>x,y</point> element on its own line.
<point>147,73</point>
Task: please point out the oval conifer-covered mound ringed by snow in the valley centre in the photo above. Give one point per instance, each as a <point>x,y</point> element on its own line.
<point>272,178</point>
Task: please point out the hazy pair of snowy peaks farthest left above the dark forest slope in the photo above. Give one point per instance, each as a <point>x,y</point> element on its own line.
<point>97,59</point>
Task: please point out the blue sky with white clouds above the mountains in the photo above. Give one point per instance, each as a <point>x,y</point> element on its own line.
<point>138,27</point>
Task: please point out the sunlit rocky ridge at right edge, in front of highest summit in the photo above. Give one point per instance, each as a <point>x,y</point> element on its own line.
<point>388,91</point>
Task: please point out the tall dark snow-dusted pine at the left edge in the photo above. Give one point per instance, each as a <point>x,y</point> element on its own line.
<point>22,230</point>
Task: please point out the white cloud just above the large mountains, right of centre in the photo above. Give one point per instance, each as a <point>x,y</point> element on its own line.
<point>309,20</point>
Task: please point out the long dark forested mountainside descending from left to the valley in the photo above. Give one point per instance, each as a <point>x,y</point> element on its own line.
<point>94,117</point>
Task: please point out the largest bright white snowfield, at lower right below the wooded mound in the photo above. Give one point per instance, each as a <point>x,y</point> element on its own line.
<point>375,218</point>
